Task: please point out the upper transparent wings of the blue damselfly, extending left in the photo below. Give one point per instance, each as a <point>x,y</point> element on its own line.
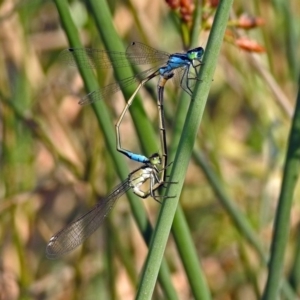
<point>136,54</point>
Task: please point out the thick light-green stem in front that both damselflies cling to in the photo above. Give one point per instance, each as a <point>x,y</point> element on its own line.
<point>183,155</point>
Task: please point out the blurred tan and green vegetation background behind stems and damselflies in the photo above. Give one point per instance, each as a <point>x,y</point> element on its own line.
<point>54,164</point>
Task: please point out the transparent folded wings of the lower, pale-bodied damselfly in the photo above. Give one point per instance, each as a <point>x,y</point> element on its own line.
<point>77,232</point>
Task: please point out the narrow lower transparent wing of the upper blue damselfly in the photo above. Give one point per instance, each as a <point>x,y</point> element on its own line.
<point>114,87</point>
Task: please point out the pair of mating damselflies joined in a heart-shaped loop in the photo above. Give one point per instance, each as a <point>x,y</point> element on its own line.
<point>136,54</point>
